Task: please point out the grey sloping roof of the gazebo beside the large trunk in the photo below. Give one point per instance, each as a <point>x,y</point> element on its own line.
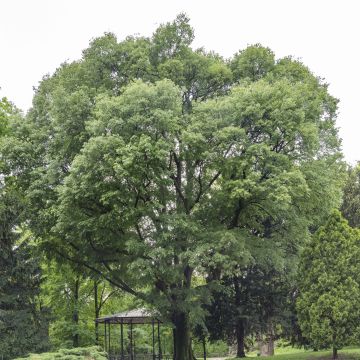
<point>136,316</point>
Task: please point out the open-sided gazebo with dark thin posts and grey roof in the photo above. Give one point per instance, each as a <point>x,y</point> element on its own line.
<point>128,319</point>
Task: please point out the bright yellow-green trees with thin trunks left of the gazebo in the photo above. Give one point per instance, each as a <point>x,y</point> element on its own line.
<point>75,299</point>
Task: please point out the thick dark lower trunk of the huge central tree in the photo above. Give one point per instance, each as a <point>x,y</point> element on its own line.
<point>182,337</point>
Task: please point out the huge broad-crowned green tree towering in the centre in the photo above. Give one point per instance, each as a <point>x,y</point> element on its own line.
<point>148,162</point>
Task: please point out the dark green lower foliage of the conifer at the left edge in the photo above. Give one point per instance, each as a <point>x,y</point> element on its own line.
<point>23,319</point>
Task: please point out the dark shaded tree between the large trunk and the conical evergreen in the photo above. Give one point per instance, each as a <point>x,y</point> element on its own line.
<point>254,303</point>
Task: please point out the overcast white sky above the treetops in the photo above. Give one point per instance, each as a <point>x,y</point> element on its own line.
<point>38,35</point>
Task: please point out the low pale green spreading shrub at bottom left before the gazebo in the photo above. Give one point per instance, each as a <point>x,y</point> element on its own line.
<point>90,353</point>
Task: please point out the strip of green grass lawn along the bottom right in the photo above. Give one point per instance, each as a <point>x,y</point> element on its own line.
<point>349,353</point>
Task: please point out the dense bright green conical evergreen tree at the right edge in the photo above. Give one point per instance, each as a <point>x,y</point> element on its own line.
<point>327,306</point>
